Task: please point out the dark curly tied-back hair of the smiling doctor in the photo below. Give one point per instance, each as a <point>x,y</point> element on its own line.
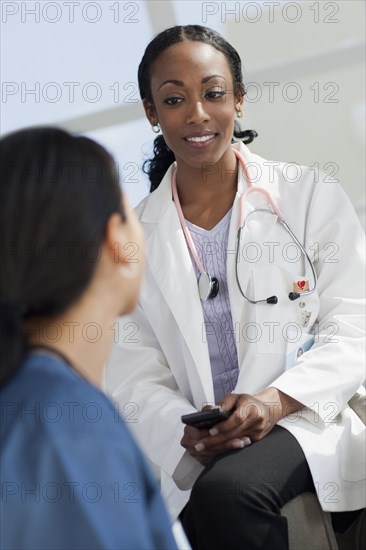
<point>163,156</point>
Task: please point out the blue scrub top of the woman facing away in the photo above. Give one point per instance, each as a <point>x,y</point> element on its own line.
<point>72,477</point>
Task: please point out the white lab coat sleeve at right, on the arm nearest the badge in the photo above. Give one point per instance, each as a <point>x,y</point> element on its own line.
<point>328,375</point>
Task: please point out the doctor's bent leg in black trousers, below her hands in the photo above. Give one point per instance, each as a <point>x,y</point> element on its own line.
<point>236,502</point>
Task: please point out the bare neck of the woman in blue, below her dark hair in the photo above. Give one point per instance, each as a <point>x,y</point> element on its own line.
<point>83,336</point>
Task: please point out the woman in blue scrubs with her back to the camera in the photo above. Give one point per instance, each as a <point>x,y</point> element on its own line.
<point>71,261</point>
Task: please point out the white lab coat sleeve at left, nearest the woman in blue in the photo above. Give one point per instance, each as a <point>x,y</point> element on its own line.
<point>139,379</point>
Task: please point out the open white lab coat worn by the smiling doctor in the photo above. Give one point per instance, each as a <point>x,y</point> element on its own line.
<point>160,367</point>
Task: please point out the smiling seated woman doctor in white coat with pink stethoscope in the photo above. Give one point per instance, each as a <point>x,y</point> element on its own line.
<point>267,323</point>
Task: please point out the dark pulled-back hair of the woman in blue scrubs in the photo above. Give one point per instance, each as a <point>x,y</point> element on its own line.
<point>57,193</point>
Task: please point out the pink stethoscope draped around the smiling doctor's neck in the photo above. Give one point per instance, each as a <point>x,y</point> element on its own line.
<point>208,287</point>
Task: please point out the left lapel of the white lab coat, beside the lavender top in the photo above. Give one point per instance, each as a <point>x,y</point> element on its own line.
<point>173,271</point>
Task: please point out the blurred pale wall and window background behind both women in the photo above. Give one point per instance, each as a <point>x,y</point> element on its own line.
<point>74,64</point>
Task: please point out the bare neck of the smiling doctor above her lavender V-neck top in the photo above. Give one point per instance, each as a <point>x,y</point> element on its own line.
<point>207,193</point>
